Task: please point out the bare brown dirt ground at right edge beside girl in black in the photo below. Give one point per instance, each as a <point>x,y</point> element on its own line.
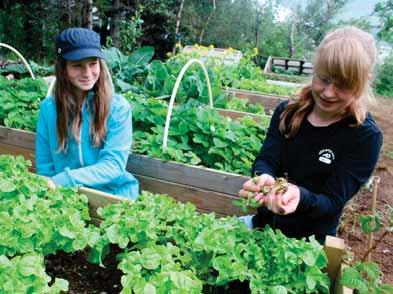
<point>361,204</point>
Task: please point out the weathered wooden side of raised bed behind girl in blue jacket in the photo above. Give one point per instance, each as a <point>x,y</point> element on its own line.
<point>208,189</point>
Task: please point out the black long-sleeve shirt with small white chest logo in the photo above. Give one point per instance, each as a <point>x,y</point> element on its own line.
<point>328,164</point>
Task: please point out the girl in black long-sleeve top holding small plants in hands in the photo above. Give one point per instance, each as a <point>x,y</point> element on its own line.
<point>325,142</point>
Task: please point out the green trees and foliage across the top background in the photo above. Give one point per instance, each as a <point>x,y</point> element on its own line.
<point>240,24</point>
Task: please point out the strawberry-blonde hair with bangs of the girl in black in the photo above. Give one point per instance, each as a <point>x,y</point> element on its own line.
<point>347,56</point>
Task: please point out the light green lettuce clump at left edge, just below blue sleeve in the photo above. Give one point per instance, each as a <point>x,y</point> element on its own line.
<point>35,218</point>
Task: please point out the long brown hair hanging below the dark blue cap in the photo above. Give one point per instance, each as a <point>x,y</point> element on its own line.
<point>69,108</point>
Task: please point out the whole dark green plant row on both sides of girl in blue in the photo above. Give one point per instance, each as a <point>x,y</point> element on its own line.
<point>198,135</point>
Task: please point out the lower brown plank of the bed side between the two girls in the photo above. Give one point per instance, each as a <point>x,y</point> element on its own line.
<point>203,199</point>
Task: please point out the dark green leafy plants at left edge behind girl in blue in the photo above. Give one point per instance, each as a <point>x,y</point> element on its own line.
<point>19,102</point>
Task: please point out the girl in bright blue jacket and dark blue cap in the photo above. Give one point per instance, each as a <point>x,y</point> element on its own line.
<point>84,129</point>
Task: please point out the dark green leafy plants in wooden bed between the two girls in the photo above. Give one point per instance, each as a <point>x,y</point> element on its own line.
<point>198,135</point>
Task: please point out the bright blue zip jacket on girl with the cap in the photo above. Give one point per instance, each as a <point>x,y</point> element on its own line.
<point>83,164</point>
